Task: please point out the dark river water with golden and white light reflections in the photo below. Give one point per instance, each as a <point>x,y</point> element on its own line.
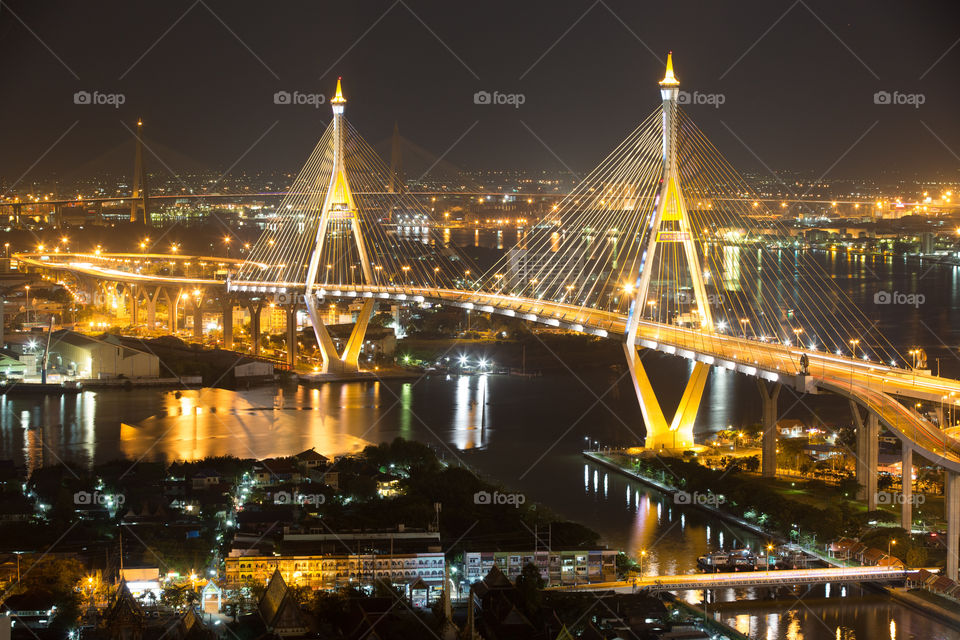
<point>524,433</point>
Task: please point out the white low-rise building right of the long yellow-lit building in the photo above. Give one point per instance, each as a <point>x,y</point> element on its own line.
<point>556,567</point>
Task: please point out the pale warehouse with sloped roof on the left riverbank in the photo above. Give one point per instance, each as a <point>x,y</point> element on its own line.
<point>87,357</point>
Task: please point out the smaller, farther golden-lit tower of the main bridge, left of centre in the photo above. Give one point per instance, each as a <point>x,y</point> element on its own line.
<point>338,212</point>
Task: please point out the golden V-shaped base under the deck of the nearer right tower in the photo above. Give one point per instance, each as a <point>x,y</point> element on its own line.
<point>678,433</point>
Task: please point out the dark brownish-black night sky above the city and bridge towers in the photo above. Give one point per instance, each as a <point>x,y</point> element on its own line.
<point>797,79</point>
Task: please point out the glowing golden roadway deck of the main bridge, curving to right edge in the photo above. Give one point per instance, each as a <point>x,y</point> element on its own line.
<point>872,384</point>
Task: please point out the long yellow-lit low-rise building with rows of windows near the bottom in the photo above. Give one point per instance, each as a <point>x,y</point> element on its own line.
<point>331,571</point>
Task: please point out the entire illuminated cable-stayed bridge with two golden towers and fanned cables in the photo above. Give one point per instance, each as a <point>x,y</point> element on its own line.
<point>661,246</point>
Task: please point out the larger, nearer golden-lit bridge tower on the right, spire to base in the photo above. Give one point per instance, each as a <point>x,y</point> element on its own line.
<point>670,223</point>
